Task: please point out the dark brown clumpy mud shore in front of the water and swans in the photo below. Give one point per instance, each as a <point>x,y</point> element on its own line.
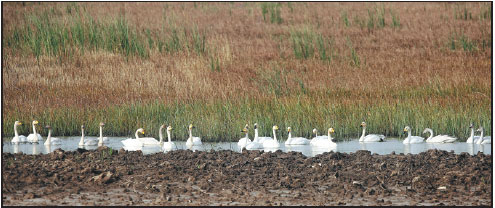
<point>183,177</point>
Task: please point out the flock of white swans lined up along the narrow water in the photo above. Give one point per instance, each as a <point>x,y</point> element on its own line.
<point>244,142</point>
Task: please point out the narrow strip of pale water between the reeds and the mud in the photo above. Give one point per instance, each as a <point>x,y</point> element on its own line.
<point>71,143</point>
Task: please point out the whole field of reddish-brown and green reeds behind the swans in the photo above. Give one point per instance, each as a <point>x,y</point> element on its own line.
<point>222,65</point>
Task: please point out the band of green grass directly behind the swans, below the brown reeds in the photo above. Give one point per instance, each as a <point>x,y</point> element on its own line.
<point>223,120</point>
